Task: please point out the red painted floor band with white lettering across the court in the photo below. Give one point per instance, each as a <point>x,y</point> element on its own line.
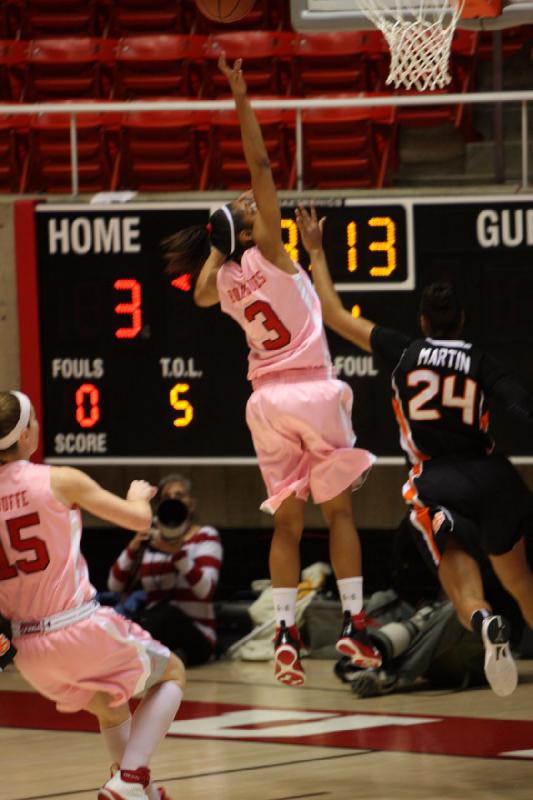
<point>416,733</point>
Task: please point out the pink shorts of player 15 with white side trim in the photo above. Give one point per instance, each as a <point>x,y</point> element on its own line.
<point>104,653</point>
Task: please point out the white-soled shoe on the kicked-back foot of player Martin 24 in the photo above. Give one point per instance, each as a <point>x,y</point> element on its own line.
<point>500,668</point>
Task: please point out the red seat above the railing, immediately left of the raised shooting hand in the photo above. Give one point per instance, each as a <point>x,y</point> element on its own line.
<point>157,65</point>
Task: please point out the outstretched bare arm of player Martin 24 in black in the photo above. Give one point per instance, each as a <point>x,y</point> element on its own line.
<point>336,317</point>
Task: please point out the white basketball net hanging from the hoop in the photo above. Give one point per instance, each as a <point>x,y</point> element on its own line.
<point>419,34</point>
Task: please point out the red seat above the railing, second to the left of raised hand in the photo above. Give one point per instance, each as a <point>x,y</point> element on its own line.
<point>69,68</point>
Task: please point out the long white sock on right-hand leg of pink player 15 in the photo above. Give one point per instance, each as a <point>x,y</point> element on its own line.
<point>150,723</point>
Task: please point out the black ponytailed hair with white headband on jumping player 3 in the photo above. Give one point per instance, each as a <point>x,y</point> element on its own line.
<point>187,250</point>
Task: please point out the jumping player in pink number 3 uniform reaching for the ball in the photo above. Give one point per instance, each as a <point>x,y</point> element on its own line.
<point>299,415</point>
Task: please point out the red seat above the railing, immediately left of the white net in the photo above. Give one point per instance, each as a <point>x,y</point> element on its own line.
<point>349,61</point>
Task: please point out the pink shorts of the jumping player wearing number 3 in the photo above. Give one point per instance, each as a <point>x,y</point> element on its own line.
<point>303,438</point>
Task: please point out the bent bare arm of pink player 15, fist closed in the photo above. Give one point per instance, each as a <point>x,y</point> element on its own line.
<point>73,487</point>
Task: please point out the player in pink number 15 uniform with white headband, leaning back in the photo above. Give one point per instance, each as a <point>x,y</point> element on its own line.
<point>70,649</point>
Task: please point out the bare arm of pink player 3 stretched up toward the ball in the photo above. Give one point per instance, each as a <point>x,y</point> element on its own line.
<point>267,226</point>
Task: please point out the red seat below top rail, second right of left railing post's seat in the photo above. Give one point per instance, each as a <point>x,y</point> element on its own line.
<point>159,152</point>
